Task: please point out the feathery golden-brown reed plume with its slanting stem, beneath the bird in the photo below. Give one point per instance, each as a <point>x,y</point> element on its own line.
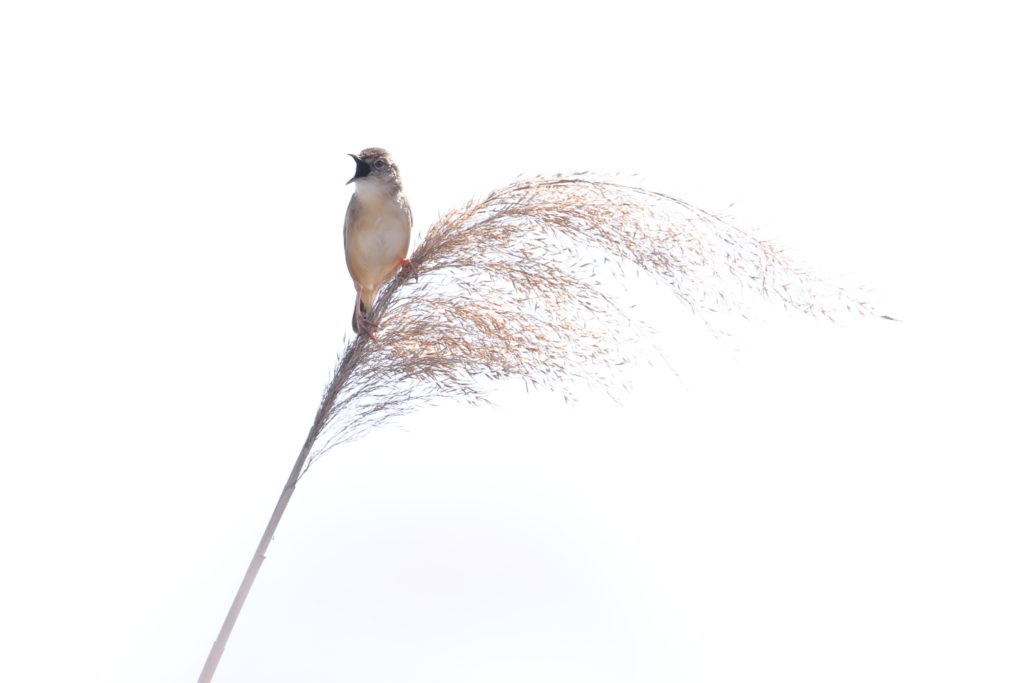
<point>510,287</point>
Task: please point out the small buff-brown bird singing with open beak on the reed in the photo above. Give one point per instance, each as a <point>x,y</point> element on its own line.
<point>378,227</point>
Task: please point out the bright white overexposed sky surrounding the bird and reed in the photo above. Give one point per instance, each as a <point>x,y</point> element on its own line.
<point>798,502</point>
